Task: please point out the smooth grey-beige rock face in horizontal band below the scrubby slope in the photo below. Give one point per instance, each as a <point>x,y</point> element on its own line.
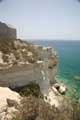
<point>22,75</point>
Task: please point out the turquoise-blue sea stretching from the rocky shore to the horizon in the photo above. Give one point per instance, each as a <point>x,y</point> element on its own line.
<point>68,72</point>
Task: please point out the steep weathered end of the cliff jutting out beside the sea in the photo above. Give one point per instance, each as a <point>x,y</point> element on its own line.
<point>48,55</point>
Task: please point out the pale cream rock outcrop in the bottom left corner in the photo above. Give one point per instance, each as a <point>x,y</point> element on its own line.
<point>9,100</point>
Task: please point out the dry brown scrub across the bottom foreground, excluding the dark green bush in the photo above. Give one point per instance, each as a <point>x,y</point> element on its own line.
<point>33,108</point>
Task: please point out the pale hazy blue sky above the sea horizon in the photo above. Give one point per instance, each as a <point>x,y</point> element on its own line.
<point>43,19</point>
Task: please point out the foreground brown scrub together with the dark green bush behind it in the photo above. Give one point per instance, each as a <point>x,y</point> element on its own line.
<point>33,107</point>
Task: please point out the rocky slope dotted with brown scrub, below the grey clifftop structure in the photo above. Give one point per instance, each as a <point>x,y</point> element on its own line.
<point>15,51</point>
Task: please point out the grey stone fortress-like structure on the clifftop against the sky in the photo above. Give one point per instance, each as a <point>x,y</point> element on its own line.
<point>7,31</point>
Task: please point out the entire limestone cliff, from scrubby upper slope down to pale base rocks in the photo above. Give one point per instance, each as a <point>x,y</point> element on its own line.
<point>22,63</point>
